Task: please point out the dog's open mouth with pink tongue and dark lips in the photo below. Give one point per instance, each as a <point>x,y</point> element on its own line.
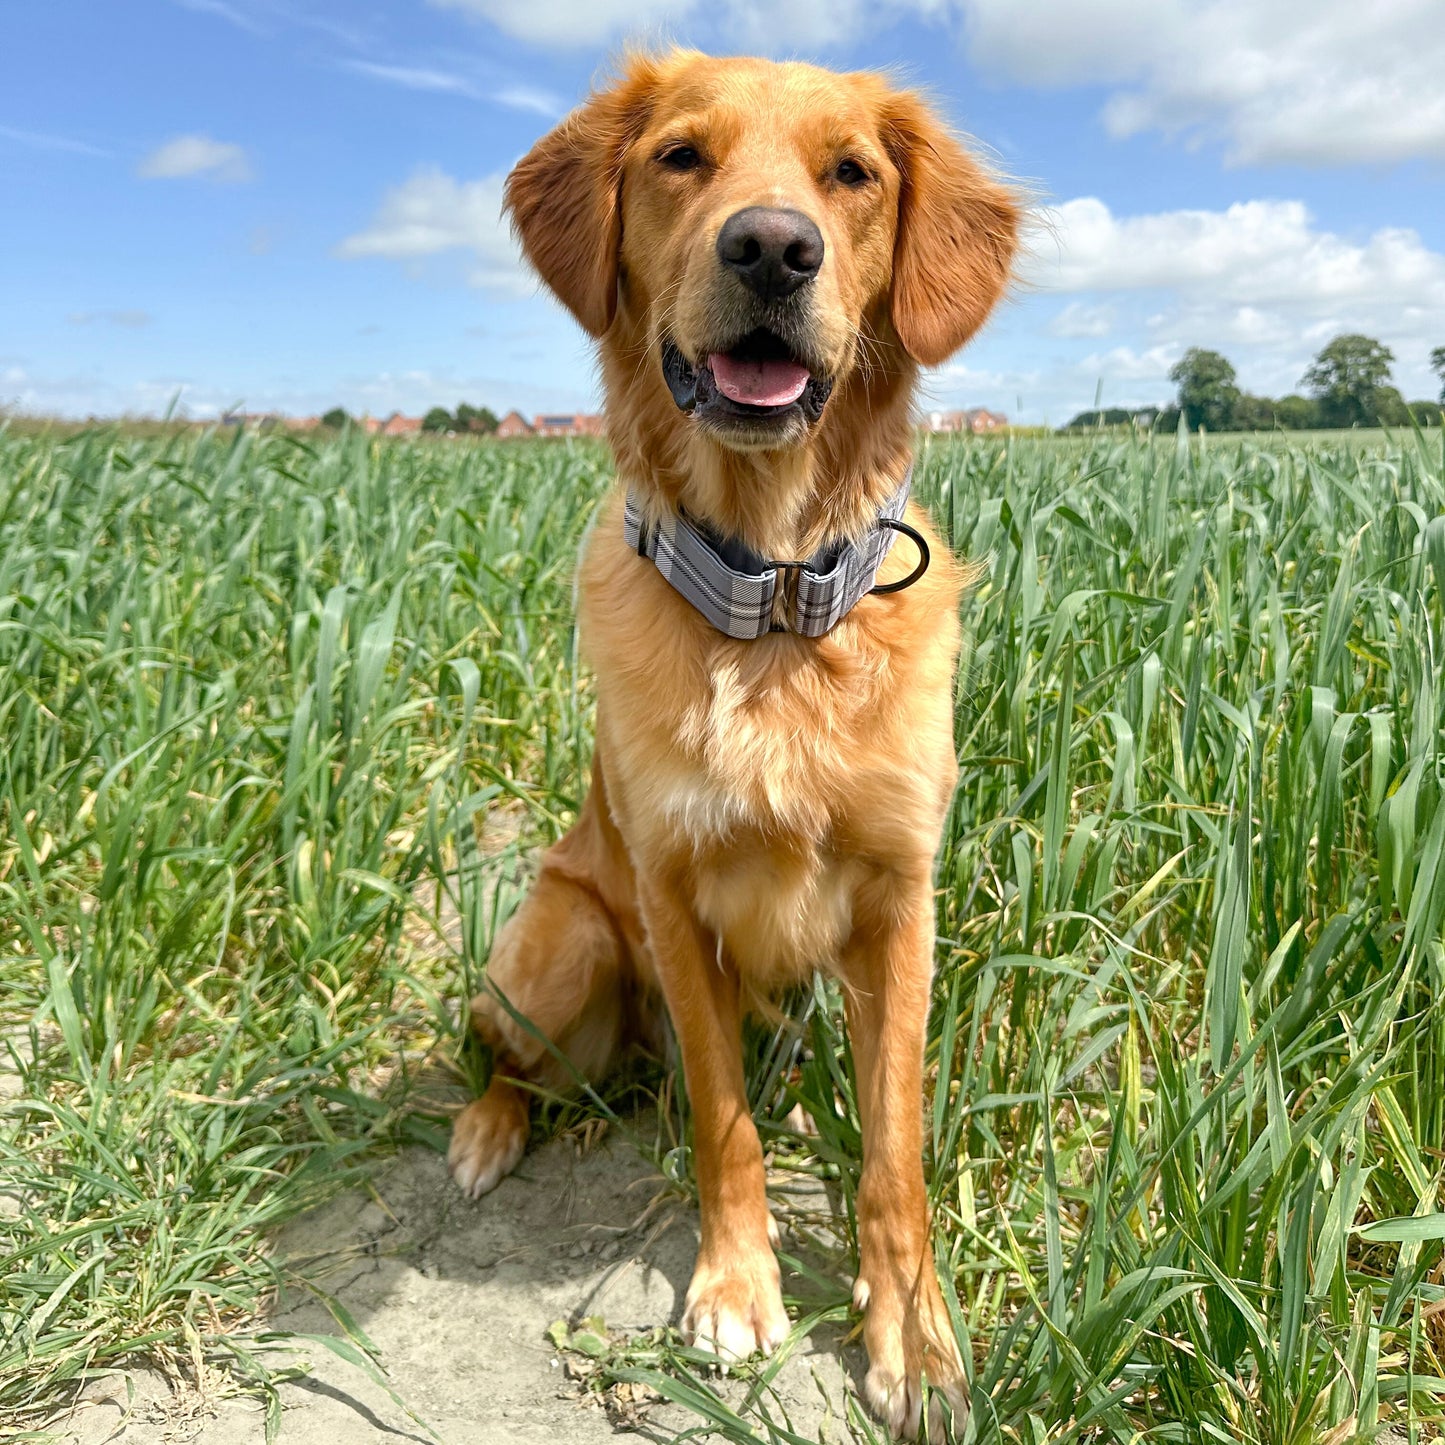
<point>758,379</point>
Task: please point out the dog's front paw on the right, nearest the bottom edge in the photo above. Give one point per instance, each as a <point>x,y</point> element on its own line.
<point>910,1336</point>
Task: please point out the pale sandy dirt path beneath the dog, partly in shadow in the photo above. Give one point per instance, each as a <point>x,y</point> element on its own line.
<point>459,1297</point>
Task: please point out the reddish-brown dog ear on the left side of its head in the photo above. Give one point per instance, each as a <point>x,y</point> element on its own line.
<point>564,197</point>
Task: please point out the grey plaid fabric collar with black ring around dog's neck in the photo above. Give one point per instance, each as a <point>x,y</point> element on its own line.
<point>748,596</point>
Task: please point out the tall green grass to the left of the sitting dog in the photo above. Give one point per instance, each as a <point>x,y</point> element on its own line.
<point>251,696</point>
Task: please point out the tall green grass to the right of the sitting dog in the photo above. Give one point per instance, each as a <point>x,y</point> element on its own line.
<point>1191,1061</point>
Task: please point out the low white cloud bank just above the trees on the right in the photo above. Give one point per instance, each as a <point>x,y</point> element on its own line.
<point>1259,281</point>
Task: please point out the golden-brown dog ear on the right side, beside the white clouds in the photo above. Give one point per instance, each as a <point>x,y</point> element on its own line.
<point>957,235</point>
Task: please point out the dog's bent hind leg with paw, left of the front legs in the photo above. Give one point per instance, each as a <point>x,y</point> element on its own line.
<point>558,986</point>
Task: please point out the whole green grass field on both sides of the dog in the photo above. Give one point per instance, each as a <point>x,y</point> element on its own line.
<point>1187,1058</point>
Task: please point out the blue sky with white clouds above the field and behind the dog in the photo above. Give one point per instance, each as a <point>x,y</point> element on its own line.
<point>293,204</point>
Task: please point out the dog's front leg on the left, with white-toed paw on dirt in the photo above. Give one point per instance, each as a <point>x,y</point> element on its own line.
<point>735,1304</point>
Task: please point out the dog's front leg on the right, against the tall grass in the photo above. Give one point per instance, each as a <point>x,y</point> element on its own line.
<point>887,969</point>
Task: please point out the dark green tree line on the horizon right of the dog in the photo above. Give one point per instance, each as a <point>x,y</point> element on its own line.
<point>1349,385</point>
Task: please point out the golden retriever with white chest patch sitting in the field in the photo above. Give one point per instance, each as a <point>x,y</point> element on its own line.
<point>767,255</point>
